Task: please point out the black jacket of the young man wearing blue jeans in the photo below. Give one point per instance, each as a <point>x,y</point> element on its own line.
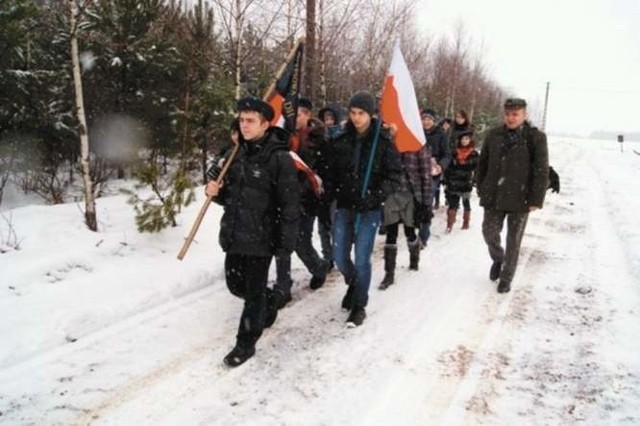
<point>345,163</point>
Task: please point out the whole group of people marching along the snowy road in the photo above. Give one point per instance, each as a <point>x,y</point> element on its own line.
<point>351,177</point>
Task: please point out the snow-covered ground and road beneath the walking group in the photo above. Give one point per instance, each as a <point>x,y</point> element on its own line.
<point>110,328</point>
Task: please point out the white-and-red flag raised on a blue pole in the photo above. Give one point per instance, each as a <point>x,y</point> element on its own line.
<point>399,105</point>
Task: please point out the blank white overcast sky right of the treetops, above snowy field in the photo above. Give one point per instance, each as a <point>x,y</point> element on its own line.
<point>589,51</point>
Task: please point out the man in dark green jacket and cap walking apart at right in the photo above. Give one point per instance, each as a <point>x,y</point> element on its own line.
<point>512,179</point>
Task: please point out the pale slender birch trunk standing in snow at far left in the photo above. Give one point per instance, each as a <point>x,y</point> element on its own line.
<point>90,203</point>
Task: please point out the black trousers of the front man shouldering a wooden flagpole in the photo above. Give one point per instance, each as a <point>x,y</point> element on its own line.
<point>247,278</point>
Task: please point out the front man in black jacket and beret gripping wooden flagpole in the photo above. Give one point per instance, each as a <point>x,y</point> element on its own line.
<point>261,203</point>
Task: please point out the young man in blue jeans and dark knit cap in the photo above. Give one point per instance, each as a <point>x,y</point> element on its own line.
<point>347,160</point>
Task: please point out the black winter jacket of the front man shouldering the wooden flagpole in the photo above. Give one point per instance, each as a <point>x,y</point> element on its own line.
<point>261,199</point>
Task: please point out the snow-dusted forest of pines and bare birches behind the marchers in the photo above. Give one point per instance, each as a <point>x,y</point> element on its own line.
<point>148,91</point>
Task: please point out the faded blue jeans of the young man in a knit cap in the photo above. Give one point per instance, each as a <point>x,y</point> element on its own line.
<point>356,273</point>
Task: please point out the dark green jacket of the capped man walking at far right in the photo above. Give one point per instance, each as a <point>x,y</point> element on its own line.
<point>512,173</point>
